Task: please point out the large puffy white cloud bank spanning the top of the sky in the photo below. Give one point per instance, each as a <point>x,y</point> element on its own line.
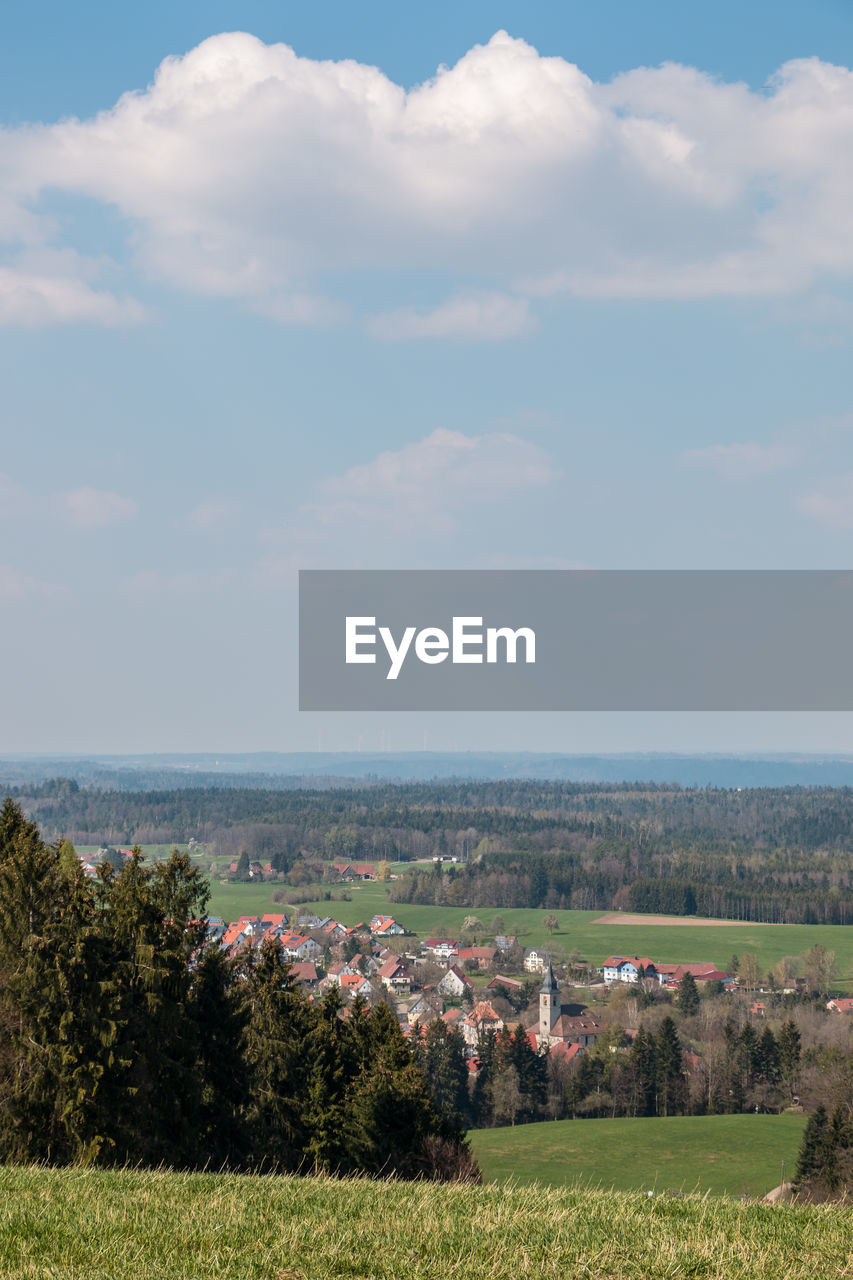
<point>248,172</point>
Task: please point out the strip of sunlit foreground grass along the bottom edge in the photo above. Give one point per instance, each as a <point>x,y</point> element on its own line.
<point>80,1226</point>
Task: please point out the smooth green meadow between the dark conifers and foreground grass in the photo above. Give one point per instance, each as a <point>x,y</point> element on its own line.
<point>722,1155</point>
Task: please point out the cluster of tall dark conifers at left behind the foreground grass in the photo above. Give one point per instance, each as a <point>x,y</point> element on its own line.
<point>126,1039</point>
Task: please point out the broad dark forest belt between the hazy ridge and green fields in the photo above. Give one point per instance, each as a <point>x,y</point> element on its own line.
<point>779,856</point>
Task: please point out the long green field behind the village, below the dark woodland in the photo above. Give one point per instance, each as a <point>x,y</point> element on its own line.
<point>577,930</point>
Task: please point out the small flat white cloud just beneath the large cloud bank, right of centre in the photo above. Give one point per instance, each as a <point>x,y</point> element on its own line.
<point>466,318</point>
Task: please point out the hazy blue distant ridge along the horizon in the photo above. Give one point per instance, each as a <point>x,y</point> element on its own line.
<point>290,770</point>
